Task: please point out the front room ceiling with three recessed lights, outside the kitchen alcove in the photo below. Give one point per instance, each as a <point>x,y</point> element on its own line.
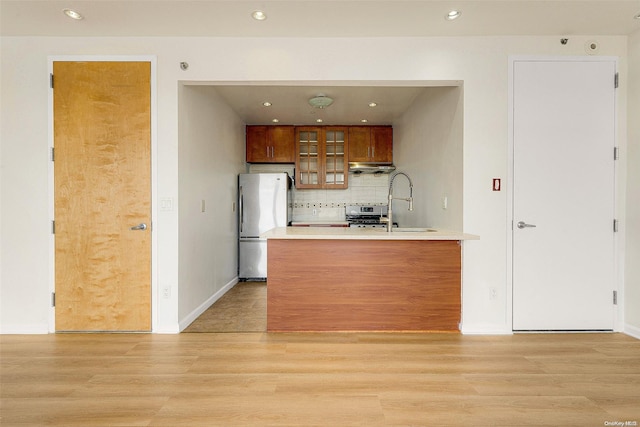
<point>318,18</point>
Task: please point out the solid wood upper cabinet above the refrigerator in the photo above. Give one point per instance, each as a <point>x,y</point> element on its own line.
<point>270,144</point>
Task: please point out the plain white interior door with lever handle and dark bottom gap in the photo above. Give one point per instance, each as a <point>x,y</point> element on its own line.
<point>563,187</point>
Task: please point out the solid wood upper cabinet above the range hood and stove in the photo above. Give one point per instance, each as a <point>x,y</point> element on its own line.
<point>372,144</point>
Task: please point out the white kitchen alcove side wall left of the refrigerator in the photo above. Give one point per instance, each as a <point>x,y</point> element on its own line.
<point>210,157</point>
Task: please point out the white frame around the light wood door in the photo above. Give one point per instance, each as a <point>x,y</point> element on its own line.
<point>154,170</point>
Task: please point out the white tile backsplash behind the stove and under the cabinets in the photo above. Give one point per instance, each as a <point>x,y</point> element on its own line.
<point>328,205</point>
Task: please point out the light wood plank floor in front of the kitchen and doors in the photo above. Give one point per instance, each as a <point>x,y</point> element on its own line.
<point>260,379</point>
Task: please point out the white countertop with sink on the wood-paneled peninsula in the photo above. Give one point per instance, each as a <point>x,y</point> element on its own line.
<point>346,233</point>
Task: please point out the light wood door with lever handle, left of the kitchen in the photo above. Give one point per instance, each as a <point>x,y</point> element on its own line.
<point>102,172</point>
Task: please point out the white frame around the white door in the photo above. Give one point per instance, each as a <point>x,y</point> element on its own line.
<point>618,237</point>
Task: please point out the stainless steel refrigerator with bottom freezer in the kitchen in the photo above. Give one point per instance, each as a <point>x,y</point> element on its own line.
<point>263,204</point>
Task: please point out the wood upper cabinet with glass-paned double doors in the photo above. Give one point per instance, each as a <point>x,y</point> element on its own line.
<point>320,157</point>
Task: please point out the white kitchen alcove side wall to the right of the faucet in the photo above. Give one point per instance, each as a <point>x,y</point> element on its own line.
<point>428,146</point>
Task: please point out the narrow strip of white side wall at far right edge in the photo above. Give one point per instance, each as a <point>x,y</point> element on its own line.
<point>632,222</point>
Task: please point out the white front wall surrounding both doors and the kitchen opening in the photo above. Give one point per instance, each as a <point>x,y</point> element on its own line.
<point>480,62</point>
